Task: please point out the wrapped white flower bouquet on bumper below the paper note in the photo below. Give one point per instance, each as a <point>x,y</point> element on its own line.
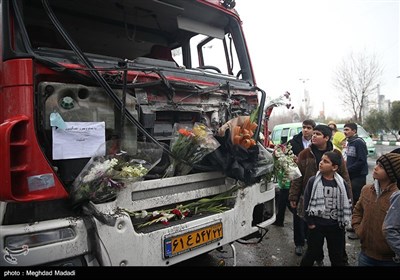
<point>103,176</point>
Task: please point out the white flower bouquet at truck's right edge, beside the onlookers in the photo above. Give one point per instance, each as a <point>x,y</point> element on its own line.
<point>285,167</point>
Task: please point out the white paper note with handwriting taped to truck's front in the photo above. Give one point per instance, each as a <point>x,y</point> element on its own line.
<point>79,140</point>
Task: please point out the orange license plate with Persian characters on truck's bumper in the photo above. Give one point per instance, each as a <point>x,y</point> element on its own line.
<point>178,244</point>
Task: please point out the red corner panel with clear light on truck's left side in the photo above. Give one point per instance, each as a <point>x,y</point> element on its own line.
<point>25,172</point>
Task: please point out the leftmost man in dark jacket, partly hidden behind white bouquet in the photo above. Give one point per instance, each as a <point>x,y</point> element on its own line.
<point>298,143</point>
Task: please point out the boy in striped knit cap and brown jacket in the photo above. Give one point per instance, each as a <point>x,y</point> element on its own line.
<point>370,211</point>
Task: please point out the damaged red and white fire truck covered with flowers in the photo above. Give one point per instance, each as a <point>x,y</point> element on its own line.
<point>76,76</point>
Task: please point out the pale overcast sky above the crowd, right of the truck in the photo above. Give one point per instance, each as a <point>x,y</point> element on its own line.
<point>291,40</point>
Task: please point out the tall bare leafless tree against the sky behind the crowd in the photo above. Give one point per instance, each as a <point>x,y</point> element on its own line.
<point>356,78</point>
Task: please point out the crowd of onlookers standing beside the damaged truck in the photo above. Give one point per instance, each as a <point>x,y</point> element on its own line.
<point>332,197</point>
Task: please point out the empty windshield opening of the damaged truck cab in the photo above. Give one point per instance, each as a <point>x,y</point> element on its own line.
<point>188,34</point>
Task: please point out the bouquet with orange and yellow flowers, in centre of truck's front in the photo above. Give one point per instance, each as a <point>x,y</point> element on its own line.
<point>188,147</point>
